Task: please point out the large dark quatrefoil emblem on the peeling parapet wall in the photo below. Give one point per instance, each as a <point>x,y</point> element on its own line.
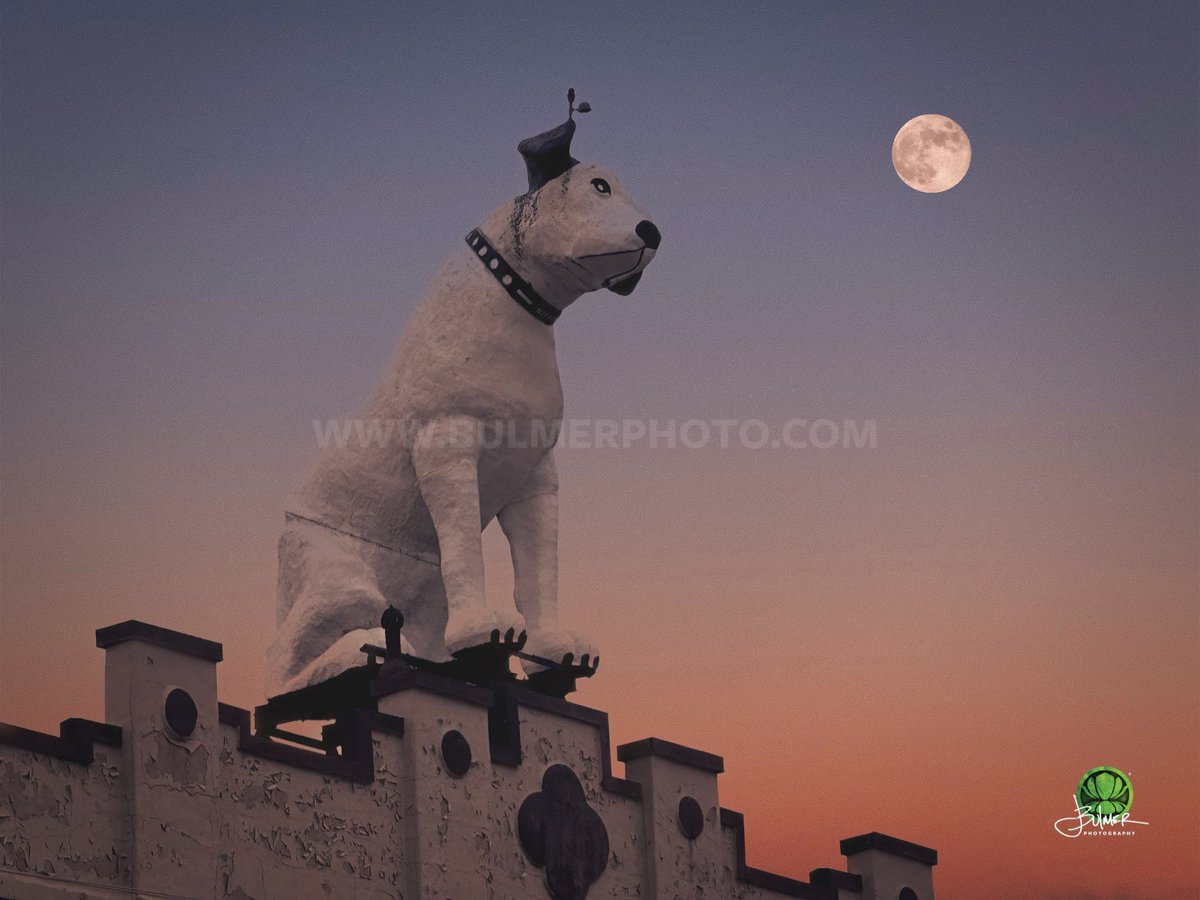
<point>563,835</point>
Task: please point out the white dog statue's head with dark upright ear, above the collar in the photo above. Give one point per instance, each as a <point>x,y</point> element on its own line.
<point>577,230</point>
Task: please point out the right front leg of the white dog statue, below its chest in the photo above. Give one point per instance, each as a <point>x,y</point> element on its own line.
<point>531,525</point>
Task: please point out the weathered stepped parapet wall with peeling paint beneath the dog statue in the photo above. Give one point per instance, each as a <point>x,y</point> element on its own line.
<point>177,797</point>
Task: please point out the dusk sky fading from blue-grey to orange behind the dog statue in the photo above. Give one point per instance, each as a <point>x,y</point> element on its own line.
<point>218,218</point>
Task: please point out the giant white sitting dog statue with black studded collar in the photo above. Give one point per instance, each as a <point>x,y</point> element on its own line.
<point>475,382</point>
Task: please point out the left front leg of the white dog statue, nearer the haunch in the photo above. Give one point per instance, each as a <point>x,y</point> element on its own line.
<point>446,458</point>
